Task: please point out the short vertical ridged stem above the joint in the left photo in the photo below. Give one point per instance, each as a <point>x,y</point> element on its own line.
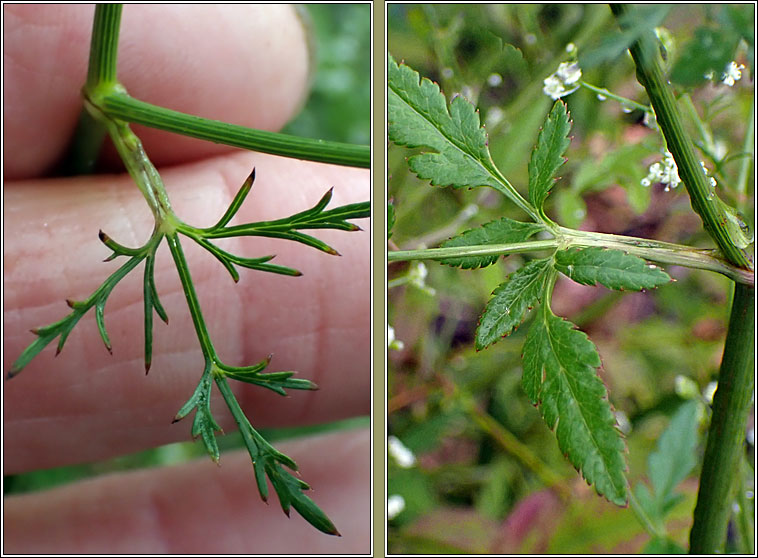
<point>104,46</point>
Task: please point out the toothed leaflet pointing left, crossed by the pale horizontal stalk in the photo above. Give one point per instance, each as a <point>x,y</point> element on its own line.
<point>502,231</point>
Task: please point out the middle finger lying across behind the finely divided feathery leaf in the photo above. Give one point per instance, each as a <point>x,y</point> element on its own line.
<point>86,404</point>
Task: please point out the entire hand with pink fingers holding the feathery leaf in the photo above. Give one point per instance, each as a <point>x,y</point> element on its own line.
<point>249,68</point>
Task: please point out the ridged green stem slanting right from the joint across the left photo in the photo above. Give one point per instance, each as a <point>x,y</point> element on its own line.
<point>123,107</point>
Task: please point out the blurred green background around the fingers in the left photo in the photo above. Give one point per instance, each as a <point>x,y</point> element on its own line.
<point>338,109</point>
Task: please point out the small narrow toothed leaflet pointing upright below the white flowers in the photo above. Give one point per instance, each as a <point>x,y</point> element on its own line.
<point>547,156</point>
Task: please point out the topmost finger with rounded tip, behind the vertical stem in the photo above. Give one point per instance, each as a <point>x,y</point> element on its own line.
<point>244,64</point>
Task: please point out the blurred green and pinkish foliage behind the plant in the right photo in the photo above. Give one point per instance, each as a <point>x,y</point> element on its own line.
<point>485,461</point>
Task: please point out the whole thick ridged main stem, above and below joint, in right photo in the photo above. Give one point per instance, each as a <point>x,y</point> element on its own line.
<point>736,373</point>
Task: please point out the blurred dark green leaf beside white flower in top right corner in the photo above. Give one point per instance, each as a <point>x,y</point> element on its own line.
<point>710,51</point>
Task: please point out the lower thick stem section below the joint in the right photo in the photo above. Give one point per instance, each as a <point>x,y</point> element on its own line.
<point>731,404</point>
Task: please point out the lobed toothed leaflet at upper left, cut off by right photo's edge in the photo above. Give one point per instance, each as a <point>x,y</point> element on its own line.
<point>419,117</point>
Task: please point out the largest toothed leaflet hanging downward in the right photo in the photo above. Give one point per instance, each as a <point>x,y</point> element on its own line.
<point>559,376</point>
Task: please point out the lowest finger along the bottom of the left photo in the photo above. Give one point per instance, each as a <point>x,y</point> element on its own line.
<point>201,508</point>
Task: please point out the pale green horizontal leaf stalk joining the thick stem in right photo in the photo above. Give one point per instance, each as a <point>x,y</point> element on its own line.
<point>660,252</point>
